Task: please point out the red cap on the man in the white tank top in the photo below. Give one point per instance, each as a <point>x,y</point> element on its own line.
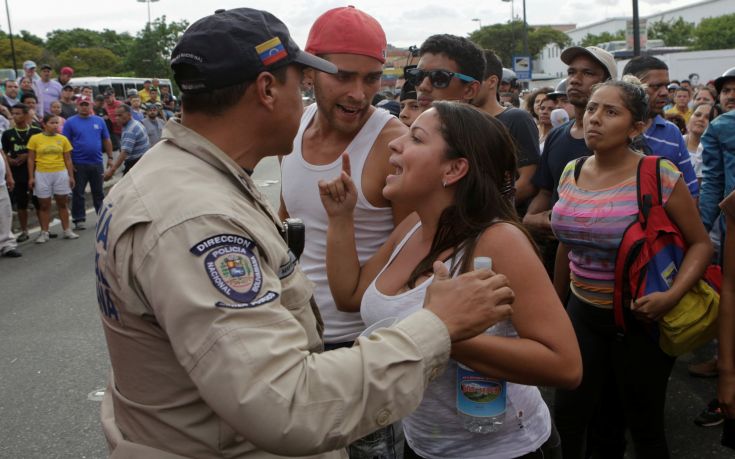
<point>347,30</point>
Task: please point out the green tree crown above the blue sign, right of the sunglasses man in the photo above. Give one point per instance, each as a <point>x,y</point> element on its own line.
<point>507,39</point>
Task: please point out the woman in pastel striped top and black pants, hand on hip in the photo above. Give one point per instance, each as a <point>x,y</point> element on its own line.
<point>597,201</point>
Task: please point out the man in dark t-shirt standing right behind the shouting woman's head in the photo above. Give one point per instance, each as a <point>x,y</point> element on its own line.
<point>519,123</point>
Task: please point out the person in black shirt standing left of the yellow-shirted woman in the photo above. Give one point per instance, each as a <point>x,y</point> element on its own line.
<point>15,145</point>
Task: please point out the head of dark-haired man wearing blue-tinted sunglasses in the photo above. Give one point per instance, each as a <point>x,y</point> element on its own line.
<point>449,68</point>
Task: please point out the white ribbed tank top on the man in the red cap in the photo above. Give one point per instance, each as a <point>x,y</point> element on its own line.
<point>373,224</point>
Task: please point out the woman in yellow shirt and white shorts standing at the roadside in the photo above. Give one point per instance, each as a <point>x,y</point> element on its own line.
<point>50,174</point>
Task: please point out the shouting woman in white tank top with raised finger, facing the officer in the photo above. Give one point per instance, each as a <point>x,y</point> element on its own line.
<point>455,167</point>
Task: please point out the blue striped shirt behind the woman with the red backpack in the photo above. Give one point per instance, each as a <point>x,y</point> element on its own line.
<point>665,140</point>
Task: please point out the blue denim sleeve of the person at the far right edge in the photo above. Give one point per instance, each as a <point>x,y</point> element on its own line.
<point>713,176</point>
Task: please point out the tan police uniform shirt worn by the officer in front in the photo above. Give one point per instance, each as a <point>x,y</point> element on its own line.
<point>211,330</point>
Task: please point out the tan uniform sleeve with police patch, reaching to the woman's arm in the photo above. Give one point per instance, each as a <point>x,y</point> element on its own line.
<point>243,335</point>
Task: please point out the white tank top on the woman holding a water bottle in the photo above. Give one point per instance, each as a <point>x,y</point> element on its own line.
<point>434,431</point>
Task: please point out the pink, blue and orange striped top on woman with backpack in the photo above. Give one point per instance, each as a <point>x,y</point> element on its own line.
<point>591,224</point>
